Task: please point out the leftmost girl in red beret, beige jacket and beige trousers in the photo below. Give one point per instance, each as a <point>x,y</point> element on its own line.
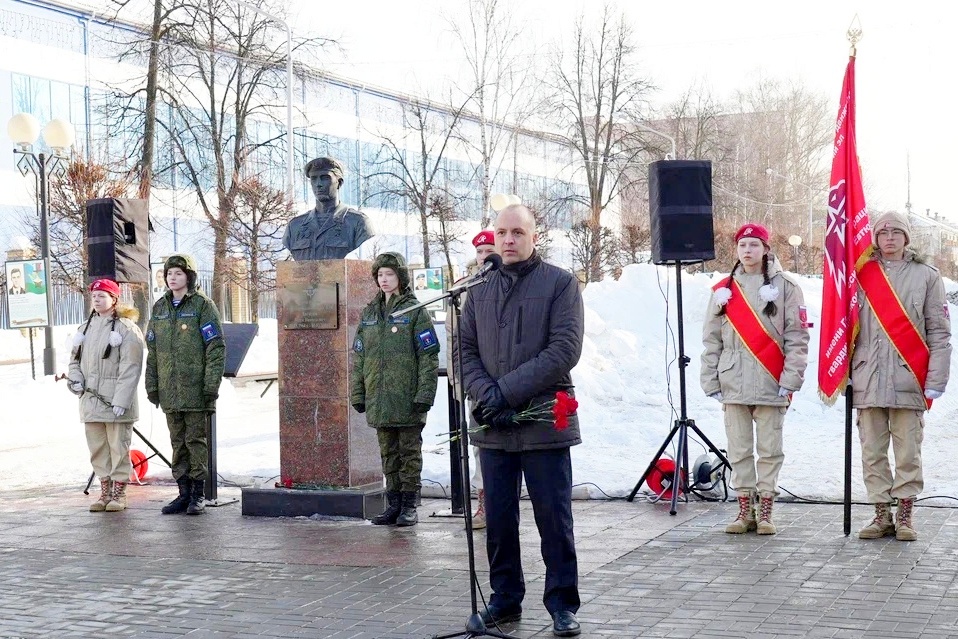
<point>107,360</point>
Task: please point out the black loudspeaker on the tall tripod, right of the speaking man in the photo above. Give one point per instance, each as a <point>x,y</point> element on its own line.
<point>680,204</point>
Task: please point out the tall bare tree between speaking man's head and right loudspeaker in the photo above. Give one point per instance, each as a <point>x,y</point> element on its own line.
<point>598,91</point>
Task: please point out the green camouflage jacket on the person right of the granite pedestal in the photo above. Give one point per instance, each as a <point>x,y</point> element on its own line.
<point>395,362</point>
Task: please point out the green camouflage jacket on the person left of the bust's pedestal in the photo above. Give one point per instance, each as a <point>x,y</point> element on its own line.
<point>185,352</point>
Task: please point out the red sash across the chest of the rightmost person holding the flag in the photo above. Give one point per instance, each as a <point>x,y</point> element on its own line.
<point>895,321</point>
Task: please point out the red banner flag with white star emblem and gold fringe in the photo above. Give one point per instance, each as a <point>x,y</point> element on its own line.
<point>848,244</point>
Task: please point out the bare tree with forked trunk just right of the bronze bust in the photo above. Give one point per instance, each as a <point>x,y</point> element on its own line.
<point>412,165</point>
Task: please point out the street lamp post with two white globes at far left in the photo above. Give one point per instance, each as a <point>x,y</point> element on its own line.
<point>59,135</point>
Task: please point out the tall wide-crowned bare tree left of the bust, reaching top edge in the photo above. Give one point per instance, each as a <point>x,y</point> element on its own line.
<point>221,74</point>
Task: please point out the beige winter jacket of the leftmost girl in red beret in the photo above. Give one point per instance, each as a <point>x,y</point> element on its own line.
<point>115,378</point>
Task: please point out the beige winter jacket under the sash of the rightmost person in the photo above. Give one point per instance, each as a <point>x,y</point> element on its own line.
<point>880,377</point>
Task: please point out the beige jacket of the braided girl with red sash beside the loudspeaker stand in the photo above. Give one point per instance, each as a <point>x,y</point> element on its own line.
<point>730,368</point>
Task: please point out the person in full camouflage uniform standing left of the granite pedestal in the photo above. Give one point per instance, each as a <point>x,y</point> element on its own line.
<point>184,367</point>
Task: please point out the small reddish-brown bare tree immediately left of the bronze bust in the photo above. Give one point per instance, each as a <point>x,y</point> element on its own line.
<point>256,232</point>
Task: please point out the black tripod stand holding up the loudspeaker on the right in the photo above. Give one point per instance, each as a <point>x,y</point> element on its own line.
<point>682,425</point>
